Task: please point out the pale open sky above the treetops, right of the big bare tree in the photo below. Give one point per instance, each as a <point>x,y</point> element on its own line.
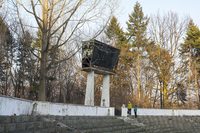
<point>190,8</point>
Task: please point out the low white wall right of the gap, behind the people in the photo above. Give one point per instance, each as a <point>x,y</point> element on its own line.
<point>163,112</point>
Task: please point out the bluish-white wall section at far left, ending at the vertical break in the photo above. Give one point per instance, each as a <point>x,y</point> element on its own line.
<point>11,106</point>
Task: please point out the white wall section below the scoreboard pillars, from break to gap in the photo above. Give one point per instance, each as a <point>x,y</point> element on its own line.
<point>47,108</point>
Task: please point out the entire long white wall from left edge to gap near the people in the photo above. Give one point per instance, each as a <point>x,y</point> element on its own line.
<point>11,106</point>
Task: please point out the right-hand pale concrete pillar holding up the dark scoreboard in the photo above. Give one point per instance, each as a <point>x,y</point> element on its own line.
<point>105,96</point>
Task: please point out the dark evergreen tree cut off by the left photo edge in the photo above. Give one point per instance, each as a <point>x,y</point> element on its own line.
<point>7,49</point>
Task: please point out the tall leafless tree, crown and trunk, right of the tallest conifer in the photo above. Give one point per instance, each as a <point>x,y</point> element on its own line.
<point>168,31</point>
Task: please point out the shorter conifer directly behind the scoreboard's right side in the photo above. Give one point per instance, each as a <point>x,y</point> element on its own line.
<point>117,36</point>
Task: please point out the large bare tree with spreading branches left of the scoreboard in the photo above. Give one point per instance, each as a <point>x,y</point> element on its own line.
<point>60,22</point>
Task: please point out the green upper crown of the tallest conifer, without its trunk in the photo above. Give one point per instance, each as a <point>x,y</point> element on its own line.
<point>137,25</point>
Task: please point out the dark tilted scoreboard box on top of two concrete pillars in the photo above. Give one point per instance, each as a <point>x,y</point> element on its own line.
<point>99,56</point>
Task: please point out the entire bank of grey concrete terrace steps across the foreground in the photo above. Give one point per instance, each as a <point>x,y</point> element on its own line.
<point>90,124</point>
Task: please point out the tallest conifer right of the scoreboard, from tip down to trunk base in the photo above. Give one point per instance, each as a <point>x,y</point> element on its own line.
<point>136,34</point>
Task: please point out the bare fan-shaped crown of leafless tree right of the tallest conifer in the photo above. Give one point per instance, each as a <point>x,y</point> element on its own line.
<point>168,31</point>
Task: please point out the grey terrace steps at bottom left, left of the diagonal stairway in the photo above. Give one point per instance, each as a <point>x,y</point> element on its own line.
<point>27,124</point>
